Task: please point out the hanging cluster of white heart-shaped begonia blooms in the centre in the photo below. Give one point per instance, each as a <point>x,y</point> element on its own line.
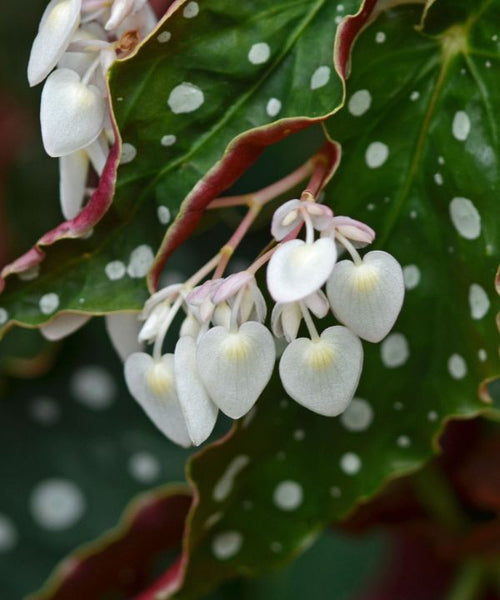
<point>225,354</point>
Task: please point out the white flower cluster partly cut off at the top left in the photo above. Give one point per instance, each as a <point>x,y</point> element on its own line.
<point>81,39</point>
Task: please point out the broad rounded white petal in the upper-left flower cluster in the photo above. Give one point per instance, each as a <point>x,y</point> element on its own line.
<point>71,113</point>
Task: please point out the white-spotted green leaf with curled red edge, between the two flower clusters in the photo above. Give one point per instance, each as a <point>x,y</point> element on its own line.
<point>209,86</point>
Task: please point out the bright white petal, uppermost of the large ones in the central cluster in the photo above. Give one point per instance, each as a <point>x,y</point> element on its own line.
<point>298,269</point>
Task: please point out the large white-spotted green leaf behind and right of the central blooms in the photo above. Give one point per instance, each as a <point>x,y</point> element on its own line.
<point>265,491</point>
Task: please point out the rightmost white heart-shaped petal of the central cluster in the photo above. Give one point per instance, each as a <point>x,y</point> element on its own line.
<point>367,297</point>
